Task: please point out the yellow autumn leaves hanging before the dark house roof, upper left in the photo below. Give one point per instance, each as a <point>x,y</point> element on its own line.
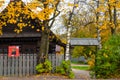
<point>17,13</point>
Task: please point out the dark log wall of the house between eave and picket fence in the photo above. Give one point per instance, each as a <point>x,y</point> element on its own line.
<point>26,45</point>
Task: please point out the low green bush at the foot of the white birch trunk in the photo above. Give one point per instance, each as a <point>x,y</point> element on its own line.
<point>65,69</point>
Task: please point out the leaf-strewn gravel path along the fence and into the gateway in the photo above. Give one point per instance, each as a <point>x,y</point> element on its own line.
<point>79,75</point>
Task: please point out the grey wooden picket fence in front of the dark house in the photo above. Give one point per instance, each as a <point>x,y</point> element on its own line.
<point>24,65</point>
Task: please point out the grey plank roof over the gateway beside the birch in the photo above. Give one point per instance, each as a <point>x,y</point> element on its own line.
<point>84,42</point>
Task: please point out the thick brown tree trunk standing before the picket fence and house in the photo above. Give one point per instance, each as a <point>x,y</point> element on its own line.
<point>44,44</point>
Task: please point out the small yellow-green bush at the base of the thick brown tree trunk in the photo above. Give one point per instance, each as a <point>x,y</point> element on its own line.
<point>44,67</point>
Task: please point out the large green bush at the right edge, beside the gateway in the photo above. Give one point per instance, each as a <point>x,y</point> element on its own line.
<point>108,59</point>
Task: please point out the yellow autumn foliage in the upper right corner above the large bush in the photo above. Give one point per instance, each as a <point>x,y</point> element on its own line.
<point>107,17</point>
